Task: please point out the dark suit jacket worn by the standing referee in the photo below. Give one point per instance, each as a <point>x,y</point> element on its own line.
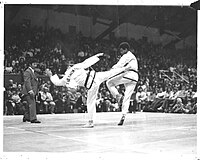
<point>30,82</point>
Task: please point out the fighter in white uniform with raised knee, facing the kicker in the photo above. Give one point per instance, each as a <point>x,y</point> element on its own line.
<point>129,79</point>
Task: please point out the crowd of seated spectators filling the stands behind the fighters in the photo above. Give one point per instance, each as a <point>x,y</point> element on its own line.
<point>172,92</point>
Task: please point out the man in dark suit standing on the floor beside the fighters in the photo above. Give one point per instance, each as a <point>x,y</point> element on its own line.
<point>30,90</point>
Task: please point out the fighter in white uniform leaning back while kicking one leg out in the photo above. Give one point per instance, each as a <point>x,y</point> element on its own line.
<point>80,75</point>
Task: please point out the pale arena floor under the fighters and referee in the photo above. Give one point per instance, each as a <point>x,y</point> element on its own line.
<point>142,134</point>
